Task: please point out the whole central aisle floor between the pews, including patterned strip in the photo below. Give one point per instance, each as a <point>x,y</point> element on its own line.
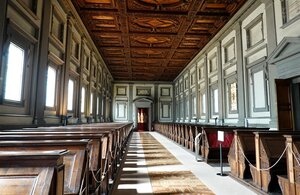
<point>166,170</point>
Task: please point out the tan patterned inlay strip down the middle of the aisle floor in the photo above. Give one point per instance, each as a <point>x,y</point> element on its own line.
<point>169,182</point>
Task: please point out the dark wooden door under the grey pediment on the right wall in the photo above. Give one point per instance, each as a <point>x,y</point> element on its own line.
<point>284,105</point>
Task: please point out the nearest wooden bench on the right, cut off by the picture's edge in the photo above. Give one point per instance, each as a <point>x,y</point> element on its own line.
<point>290,183</point>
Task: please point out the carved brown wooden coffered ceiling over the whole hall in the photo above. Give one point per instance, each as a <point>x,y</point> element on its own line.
<point>152,40</point>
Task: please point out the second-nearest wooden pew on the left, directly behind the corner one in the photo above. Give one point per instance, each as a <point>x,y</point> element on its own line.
<point>75,161</point>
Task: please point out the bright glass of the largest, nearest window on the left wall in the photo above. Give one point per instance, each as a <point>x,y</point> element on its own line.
<point>14,73</point>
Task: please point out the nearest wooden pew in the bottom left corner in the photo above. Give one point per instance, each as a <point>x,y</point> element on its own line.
<point>32,172</point>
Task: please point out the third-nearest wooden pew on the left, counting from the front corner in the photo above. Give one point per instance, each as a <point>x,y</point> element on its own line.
<point>97,153</point>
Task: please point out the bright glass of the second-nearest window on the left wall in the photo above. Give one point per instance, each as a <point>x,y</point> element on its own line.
<point>51,85</point>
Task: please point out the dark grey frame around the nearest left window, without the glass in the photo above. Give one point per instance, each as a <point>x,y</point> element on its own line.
<point>25,41</point>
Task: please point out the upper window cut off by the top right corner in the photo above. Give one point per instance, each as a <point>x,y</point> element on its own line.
<point>290,9</point>
